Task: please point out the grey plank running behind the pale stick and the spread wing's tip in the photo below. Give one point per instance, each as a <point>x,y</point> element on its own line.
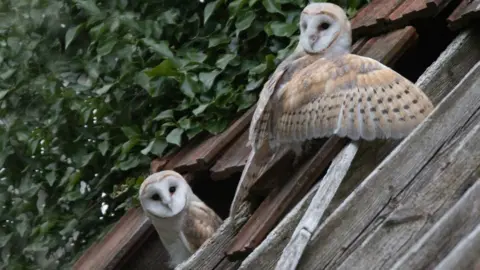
<point>436,81</point>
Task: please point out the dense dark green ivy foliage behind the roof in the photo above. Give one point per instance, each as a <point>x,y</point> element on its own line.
<point>90,91</point>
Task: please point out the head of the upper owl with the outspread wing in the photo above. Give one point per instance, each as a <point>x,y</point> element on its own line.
<point>325,28</point>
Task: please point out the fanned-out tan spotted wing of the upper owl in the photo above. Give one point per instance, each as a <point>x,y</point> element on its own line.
<point>349,96</point>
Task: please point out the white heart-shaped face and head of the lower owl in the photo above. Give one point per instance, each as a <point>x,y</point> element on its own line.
<point>164,194</point>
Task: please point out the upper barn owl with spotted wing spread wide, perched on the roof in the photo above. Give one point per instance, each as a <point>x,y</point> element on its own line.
<point>328,91</point>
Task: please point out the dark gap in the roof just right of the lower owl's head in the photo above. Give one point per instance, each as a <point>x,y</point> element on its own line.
<point>218,195</point>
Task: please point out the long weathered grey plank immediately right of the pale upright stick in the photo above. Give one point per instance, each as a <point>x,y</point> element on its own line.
<point>337,234</point>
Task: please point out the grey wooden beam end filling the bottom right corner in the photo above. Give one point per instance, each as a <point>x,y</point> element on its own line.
<point>465,254</point>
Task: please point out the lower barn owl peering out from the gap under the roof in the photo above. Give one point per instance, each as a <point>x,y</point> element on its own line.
<point>182,221</point>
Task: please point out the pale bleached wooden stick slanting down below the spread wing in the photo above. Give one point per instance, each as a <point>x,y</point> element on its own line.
<point>315,211</point>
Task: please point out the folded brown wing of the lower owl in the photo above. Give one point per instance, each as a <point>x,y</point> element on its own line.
<point>200,223</point>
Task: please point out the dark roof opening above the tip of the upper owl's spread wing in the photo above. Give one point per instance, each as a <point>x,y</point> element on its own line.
<point>433,38</point>
